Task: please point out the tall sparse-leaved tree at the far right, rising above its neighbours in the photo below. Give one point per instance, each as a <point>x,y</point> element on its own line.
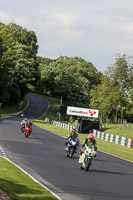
<point>120,75</point>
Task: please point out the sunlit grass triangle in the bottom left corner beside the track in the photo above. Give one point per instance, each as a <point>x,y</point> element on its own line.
<point>20,186</point>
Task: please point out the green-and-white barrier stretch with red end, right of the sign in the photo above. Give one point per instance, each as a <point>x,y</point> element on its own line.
<point>127,142</point>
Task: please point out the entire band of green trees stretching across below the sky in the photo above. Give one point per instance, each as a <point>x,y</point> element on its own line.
<point>73,79</point>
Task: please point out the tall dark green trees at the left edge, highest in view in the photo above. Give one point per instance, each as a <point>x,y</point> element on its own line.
<point>18,67</point>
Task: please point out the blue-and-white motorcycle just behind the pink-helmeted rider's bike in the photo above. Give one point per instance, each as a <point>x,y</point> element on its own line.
<point>71,147</point>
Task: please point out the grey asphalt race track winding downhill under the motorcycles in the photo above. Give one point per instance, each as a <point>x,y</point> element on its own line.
<point>42,155</point>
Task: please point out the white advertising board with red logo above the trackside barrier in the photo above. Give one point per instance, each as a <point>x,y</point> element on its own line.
<point>82,112</point>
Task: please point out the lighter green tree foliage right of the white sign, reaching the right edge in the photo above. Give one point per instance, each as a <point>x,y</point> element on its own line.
<point>115,91</point>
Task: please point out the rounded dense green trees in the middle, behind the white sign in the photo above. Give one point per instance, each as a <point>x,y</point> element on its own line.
<point>69,78</point>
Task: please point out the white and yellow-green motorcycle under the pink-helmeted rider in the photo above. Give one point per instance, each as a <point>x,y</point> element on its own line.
<point>87,156</point>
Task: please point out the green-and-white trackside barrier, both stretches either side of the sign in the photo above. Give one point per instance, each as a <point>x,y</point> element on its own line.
<point>127,142</point>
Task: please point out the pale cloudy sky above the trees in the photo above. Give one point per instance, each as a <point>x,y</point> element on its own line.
<point>95,30</point>
